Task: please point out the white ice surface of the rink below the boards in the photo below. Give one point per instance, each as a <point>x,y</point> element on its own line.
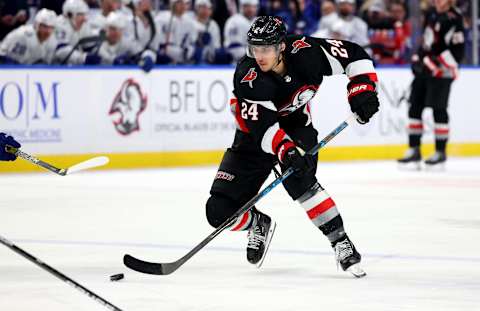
<point>418,232</point>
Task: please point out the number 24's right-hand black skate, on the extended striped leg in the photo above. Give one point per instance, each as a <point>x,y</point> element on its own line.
<point>348,257</point>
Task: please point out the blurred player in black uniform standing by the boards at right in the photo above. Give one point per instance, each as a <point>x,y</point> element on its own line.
<point>435,66</point>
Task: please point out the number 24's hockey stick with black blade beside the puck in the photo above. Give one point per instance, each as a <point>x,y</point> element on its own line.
<point>167,268</point>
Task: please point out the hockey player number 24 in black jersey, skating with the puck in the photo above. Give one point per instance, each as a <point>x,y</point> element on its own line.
<point>273,86</point>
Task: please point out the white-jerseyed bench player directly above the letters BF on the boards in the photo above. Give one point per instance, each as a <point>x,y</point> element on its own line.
<point>176,34</point>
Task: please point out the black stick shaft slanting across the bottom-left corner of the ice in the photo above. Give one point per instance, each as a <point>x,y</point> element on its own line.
<point>58,274</point>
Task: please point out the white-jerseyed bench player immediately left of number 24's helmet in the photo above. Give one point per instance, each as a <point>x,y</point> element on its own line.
<point>236,28</point>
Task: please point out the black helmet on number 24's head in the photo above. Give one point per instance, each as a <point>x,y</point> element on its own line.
<point>267,30</point>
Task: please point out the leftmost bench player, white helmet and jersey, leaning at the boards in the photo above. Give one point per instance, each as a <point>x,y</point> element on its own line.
<point>31,44</point>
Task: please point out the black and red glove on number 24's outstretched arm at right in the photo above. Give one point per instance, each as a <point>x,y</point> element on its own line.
<point>363,98</point>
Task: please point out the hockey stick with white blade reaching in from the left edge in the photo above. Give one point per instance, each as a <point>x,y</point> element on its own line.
<point>94,162</point>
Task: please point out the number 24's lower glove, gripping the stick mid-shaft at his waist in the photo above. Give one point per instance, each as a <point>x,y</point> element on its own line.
<point>291,156</point>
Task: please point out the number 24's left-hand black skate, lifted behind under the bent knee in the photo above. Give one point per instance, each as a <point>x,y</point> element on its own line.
<point>259,238</point>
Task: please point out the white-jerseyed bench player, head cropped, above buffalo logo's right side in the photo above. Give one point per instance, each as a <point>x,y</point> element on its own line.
<point>140,22</point>
